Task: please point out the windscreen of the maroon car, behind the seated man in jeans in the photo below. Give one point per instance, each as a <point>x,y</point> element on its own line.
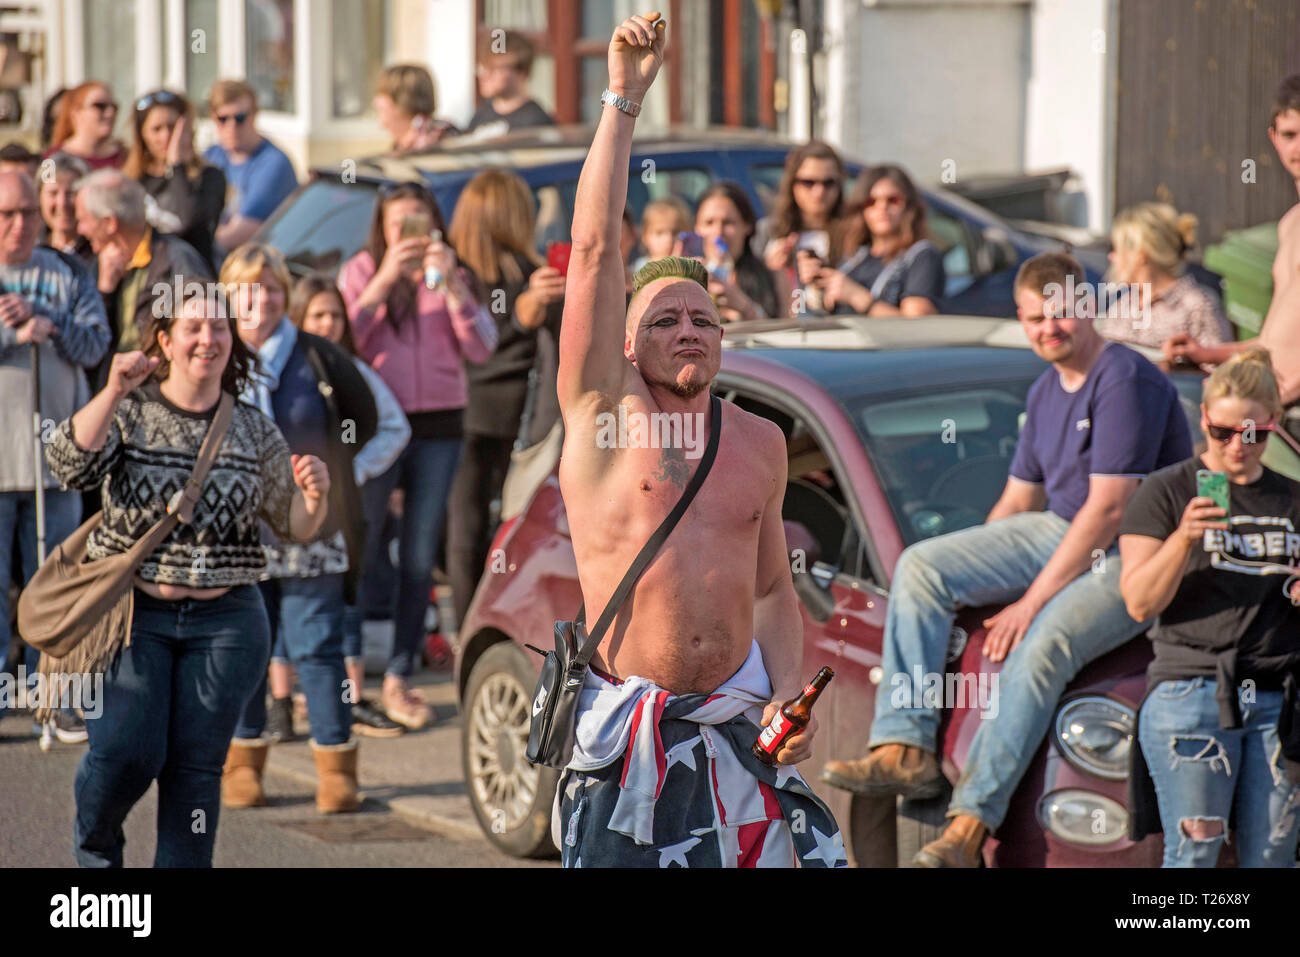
<point>943,457</point>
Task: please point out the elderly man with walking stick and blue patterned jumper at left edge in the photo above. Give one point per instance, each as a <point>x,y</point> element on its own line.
<point>46,298</point>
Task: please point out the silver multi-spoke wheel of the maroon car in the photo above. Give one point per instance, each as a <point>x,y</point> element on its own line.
<point>512,798</point>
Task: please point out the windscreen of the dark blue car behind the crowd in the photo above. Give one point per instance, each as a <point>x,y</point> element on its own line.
<point>324,226</point>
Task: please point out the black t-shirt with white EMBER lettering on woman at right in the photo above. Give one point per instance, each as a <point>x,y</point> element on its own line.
<point>1232,591</point>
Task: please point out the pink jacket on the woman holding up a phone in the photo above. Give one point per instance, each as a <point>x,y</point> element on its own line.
<point>423,363</point>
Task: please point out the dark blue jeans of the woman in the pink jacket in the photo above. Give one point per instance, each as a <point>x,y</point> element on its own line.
<point>424,474</point>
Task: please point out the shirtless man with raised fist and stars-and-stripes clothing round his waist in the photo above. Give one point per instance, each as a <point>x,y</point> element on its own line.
<point>716,610</point>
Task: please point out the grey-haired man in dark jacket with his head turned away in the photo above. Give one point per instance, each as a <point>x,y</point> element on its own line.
<point>137,266</point>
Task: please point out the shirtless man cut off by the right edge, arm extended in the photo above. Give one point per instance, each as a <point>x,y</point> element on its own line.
<point>1281,330</point>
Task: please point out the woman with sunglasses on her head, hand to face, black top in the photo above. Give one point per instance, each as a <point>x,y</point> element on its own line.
<point>162,158</point>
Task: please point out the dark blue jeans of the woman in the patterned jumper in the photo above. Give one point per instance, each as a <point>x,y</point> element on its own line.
<point>171,704</point>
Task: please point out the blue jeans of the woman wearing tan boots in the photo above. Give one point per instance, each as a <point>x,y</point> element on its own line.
<point>307,623</point>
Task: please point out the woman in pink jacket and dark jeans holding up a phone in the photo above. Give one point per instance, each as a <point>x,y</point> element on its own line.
<point>417,321</point>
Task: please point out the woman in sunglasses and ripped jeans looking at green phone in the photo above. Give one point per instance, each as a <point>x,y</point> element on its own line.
<point>1220,728</point>
